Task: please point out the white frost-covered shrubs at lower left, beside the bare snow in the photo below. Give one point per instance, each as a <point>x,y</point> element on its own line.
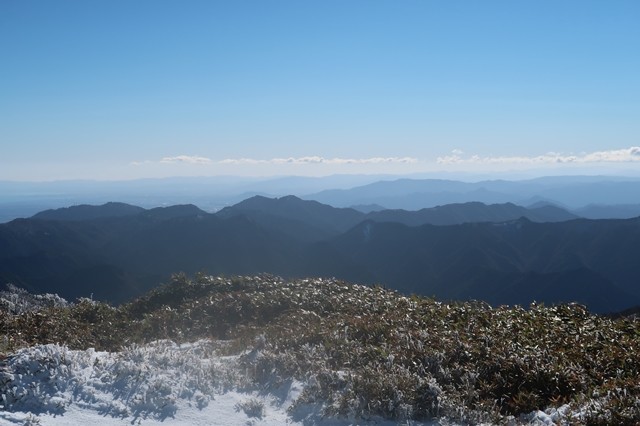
<point>140,381</point>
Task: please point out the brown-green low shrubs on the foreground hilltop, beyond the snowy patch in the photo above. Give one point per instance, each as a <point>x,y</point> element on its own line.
<point>364,352</point>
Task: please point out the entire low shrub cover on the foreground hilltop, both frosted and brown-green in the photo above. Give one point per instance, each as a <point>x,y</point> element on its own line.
<point>329,349</point>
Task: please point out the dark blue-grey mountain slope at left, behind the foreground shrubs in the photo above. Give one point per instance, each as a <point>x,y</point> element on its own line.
<point>115,258</point>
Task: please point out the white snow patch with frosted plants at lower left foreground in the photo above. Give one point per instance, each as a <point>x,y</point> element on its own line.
<point>156,384</point>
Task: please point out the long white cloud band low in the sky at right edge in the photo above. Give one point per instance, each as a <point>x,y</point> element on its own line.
<point>625,155</point>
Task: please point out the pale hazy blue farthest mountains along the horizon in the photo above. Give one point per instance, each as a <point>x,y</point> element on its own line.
<point>596,197</point>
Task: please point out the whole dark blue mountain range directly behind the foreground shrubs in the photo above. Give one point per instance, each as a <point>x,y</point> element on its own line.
<point>500,253</point>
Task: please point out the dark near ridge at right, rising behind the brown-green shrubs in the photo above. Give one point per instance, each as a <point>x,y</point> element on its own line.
<point>586,261</point>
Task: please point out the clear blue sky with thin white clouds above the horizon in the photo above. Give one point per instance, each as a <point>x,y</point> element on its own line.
<point>127,89</point>
